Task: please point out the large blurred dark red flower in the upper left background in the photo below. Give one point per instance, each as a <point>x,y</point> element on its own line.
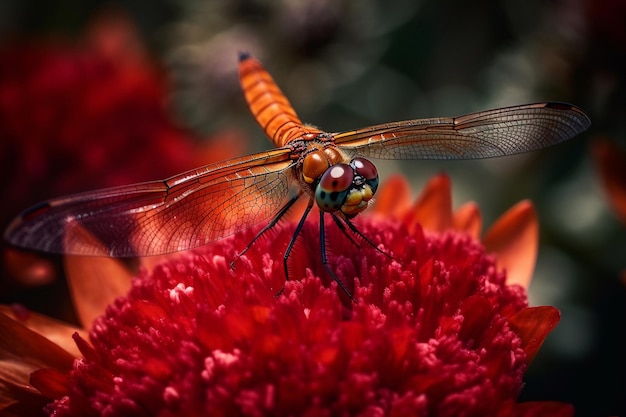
<point>84,115</point>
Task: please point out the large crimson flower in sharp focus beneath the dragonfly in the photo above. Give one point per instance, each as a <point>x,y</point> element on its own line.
<point>435,331</point>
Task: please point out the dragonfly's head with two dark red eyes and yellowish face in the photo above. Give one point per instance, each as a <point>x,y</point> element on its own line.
<point>347,188</point>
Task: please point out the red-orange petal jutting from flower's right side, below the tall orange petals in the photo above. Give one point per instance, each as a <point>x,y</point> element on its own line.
<point>533,324</point>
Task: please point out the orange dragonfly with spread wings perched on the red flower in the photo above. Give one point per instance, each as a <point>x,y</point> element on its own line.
<point>332,170</point>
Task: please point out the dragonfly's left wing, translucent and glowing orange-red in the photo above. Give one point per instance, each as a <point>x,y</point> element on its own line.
<point>182,212</point>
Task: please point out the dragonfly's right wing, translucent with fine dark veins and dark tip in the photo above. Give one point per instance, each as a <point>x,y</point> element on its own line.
<point>486,134</point>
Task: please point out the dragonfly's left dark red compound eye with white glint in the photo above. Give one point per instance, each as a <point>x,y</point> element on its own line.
<point>333,187</point>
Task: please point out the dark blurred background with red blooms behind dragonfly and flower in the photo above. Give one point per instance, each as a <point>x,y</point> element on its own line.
<point>95,94</point>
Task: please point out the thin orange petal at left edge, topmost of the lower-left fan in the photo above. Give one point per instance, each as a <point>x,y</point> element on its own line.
<point>58,332</point>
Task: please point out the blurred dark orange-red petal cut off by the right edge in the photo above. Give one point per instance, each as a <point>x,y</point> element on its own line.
<point>610,161</point>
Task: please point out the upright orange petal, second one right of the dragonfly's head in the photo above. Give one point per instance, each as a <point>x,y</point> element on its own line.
<point>433,208</point>
